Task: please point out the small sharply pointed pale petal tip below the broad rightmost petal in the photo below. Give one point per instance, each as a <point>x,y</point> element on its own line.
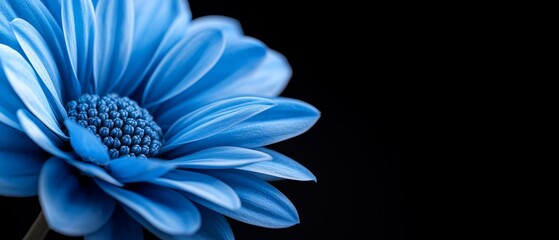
<point>281,167</point>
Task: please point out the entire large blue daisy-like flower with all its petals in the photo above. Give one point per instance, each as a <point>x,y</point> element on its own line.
<point>123,114</point>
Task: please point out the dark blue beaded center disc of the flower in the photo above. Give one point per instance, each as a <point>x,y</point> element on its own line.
<point>123,126</point>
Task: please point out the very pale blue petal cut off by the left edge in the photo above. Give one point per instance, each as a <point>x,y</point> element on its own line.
<point>24,82</point>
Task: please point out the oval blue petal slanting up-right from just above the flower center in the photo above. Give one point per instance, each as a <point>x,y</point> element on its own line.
<point>183,66</point>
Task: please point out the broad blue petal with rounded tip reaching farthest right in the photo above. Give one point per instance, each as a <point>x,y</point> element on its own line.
<point>286,120</point>
